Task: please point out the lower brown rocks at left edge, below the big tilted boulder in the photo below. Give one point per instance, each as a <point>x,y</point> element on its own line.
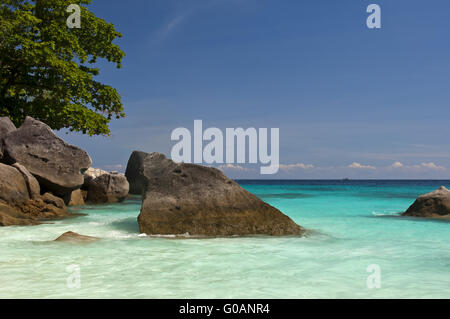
<point>21,204</point>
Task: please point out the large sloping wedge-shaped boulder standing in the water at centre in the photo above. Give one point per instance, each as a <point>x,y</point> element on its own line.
<point>186,198</point>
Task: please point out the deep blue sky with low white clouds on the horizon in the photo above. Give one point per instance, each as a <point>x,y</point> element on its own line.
<point>350,102</point>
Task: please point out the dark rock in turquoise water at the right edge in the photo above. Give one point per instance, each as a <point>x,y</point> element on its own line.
<point>432,205</point>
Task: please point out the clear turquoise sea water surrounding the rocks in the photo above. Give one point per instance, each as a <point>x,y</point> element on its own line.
<point>354,224</point>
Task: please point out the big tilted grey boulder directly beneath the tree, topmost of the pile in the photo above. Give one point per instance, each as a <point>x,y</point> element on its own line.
<point>58,166</point>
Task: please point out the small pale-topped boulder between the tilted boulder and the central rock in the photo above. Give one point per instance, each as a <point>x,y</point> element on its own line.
<point>105,187</point>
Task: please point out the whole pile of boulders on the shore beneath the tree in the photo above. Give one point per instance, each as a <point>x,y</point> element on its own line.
<point>40,174</point>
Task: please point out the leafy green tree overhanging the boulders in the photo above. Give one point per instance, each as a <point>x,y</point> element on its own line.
<point>47,69</point>
